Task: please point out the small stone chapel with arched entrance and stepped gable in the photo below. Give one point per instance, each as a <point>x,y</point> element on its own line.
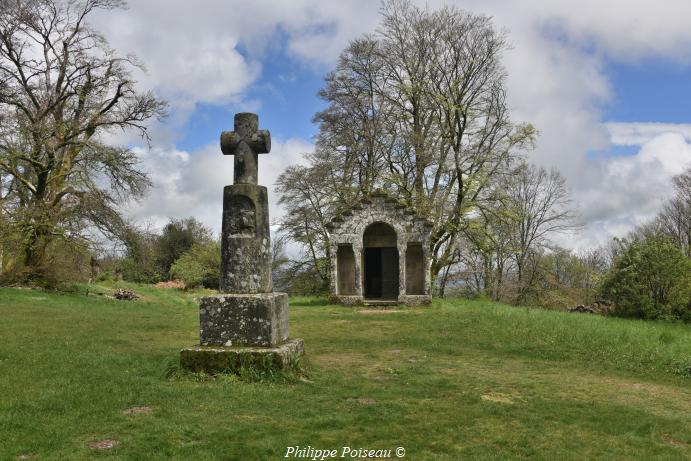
<point>380,254</point>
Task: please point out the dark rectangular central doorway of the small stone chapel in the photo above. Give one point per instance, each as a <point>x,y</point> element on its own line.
<point>381,273</point>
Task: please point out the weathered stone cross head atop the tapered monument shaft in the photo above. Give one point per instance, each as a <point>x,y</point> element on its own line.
<point>245,143</point>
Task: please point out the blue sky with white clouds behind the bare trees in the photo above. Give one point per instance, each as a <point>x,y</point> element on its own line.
<point>606,83</point>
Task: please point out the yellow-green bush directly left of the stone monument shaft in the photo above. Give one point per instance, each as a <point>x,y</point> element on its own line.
<point>200,266</point>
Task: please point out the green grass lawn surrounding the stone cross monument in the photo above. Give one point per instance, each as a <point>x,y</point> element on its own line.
<point>458,380</point>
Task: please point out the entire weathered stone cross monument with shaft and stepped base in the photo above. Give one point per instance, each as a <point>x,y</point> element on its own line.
<point>246,324</point>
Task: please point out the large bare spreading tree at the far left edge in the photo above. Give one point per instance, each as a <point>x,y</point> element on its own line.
<point>61,89</point>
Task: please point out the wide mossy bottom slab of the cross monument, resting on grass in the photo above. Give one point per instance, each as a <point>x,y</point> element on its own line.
<point>212,359</point>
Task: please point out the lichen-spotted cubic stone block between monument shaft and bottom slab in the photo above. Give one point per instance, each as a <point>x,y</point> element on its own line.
<point>255,320</point>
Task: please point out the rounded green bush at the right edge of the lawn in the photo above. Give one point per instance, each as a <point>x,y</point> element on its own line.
<point>651,279</point>
